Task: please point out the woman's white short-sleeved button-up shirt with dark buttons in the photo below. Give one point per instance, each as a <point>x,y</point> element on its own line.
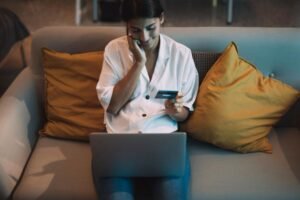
<point>174,70</point>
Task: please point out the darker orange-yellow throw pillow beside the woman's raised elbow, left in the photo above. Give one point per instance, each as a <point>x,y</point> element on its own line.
<point>72,107</point>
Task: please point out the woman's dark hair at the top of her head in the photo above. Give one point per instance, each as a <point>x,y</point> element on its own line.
<point>131,9</point>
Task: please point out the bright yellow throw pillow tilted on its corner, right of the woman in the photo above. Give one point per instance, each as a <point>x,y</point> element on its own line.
<point>237,105</point>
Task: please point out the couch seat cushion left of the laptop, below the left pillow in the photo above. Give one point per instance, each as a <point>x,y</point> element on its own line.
<point>58,169</point>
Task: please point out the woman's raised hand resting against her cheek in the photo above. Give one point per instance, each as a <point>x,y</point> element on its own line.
<point>138,52</point>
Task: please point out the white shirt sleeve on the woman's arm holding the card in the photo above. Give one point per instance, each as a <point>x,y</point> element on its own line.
<point>190,81</point>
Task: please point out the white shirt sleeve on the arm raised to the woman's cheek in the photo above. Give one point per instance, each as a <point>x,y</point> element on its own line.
<point>108,77</point>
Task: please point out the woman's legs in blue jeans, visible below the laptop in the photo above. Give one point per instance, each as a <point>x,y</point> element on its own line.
<point>162,188</point>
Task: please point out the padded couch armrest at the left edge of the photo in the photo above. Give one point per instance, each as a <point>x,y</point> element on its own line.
<point>20,119</point>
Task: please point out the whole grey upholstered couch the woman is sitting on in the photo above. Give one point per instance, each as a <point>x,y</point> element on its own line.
<point>38,167</point>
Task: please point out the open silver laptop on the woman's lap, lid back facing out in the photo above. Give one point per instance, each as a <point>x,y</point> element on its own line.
<point>138,155</point>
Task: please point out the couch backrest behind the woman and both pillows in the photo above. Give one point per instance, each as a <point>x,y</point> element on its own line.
<point>275,51</point>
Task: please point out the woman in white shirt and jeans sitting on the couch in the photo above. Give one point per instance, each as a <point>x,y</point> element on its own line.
<point>135,68</point>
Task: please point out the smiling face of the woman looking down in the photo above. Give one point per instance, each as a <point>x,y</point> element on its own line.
<point>146,31</point>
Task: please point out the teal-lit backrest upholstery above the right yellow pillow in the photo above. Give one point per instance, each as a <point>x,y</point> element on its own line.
<point>280,50</point>
